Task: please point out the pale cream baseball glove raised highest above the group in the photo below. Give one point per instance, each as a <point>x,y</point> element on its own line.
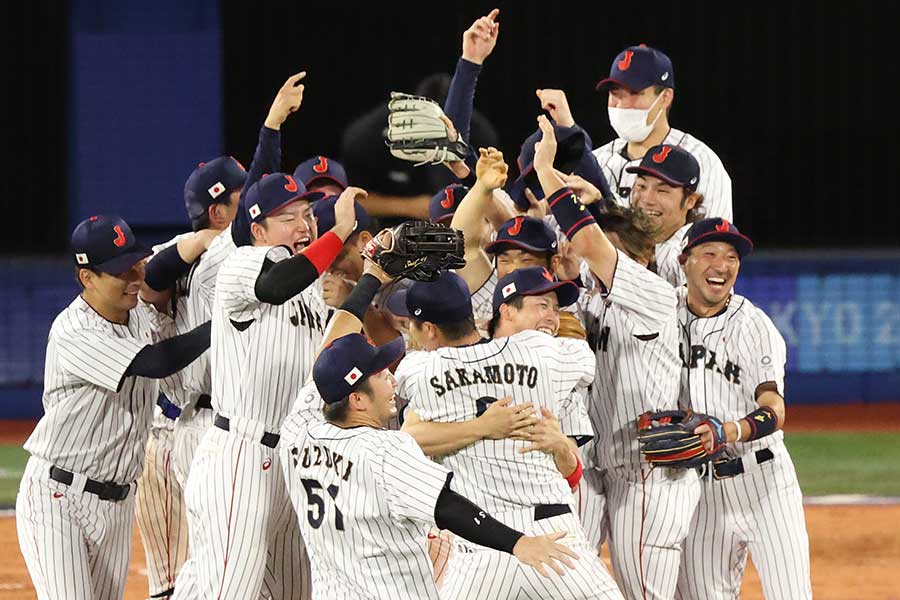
<point>418,131</point>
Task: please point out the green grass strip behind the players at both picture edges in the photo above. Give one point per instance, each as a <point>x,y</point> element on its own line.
<point>827,463</point>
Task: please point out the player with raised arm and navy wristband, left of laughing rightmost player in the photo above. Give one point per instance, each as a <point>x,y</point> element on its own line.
<point>632,325</point>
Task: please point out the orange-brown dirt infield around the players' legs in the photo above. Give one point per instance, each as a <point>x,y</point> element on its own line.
<point>855,553</point>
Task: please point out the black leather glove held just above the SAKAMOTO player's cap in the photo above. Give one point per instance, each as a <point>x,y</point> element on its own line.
<point>417,250</point>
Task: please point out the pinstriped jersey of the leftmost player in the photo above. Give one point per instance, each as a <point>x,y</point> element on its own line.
<point>96,420</point>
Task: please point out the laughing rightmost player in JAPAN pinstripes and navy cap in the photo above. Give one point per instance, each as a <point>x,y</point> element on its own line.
<point>733,365</point>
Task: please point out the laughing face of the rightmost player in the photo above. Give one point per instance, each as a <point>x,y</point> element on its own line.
<point>711,270</point>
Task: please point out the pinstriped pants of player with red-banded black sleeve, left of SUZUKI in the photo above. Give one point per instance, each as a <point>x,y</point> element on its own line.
<point>244,532</point>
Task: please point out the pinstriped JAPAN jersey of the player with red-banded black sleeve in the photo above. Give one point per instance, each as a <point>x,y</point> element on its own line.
<point>262,353</point>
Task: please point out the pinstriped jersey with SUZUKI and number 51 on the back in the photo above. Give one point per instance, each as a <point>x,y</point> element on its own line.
<point>361,495</point>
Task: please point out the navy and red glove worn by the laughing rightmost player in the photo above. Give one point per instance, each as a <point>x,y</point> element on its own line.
<point>667,438</point>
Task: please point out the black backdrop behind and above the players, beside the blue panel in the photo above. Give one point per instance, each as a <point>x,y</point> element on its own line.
<point>798,103</point>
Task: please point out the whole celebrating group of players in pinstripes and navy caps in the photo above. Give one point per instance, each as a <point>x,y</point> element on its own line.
<point>295,402</point>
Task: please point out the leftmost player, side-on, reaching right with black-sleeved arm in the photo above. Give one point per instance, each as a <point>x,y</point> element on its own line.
<point>75,507</point>
